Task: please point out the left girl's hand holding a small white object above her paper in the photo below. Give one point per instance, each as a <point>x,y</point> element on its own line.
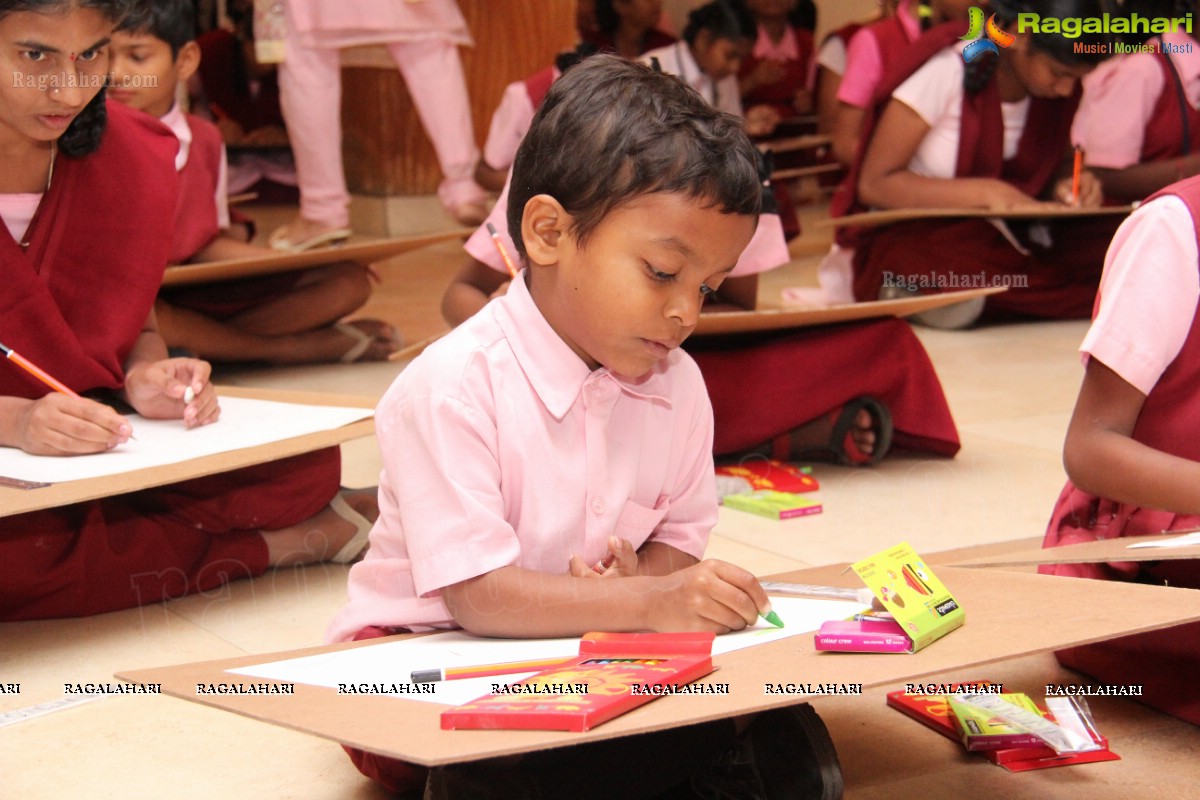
<point>160,392</point>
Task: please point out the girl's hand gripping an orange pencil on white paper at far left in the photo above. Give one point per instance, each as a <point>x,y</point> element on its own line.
<point>57,425</point>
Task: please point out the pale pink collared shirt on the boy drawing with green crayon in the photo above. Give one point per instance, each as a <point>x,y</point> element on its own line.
<point>501,448</point>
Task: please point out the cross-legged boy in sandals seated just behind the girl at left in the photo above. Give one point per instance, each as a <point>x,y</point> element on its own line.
<point>289,318</point>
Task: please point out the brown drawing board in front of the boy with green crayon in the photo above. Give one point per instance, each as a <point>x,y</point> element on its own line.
<point>1007,616</point>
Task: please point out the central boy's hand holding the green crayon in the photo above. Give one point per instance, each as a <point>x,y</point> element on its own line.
<point>710,597</point>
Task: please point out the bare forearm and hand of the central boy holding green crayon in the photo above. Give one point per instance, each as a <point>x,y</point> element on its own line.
<point>515,603</point>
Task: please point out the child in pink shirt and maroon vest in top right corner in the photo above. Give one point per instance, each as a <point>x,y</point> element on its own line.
<point>1138,122</point>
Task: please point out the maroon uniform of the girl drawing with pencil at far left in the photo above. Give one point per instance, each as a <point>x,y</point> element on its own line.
<point>75,304</point>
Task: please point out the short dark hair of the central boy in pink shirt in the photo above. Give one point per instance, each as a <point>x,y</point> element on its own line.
<point>610,131</point>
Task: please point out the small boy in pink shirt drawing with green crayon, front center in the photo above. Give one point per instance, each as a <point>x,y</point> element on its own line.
<point>562,428</point>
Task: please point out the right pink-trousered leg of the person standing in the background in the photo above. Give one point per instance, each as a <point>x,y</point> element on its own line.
<point>434,75</point>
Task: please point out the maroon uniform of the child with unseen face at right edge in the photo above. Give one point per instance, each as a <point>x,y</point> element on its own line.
<point>1163,663</point>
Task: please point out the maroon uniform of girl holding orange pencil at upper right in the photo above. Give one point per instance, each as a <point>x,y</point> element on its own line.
<point>1060,279</point>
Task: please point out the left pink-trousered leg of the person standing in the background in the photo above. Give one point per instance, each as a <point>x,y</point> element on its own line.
<point>311,99</point>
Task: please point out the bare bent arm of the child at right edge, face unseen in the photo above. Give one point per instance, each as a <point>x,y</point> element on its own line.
<point>1103,460</point>
